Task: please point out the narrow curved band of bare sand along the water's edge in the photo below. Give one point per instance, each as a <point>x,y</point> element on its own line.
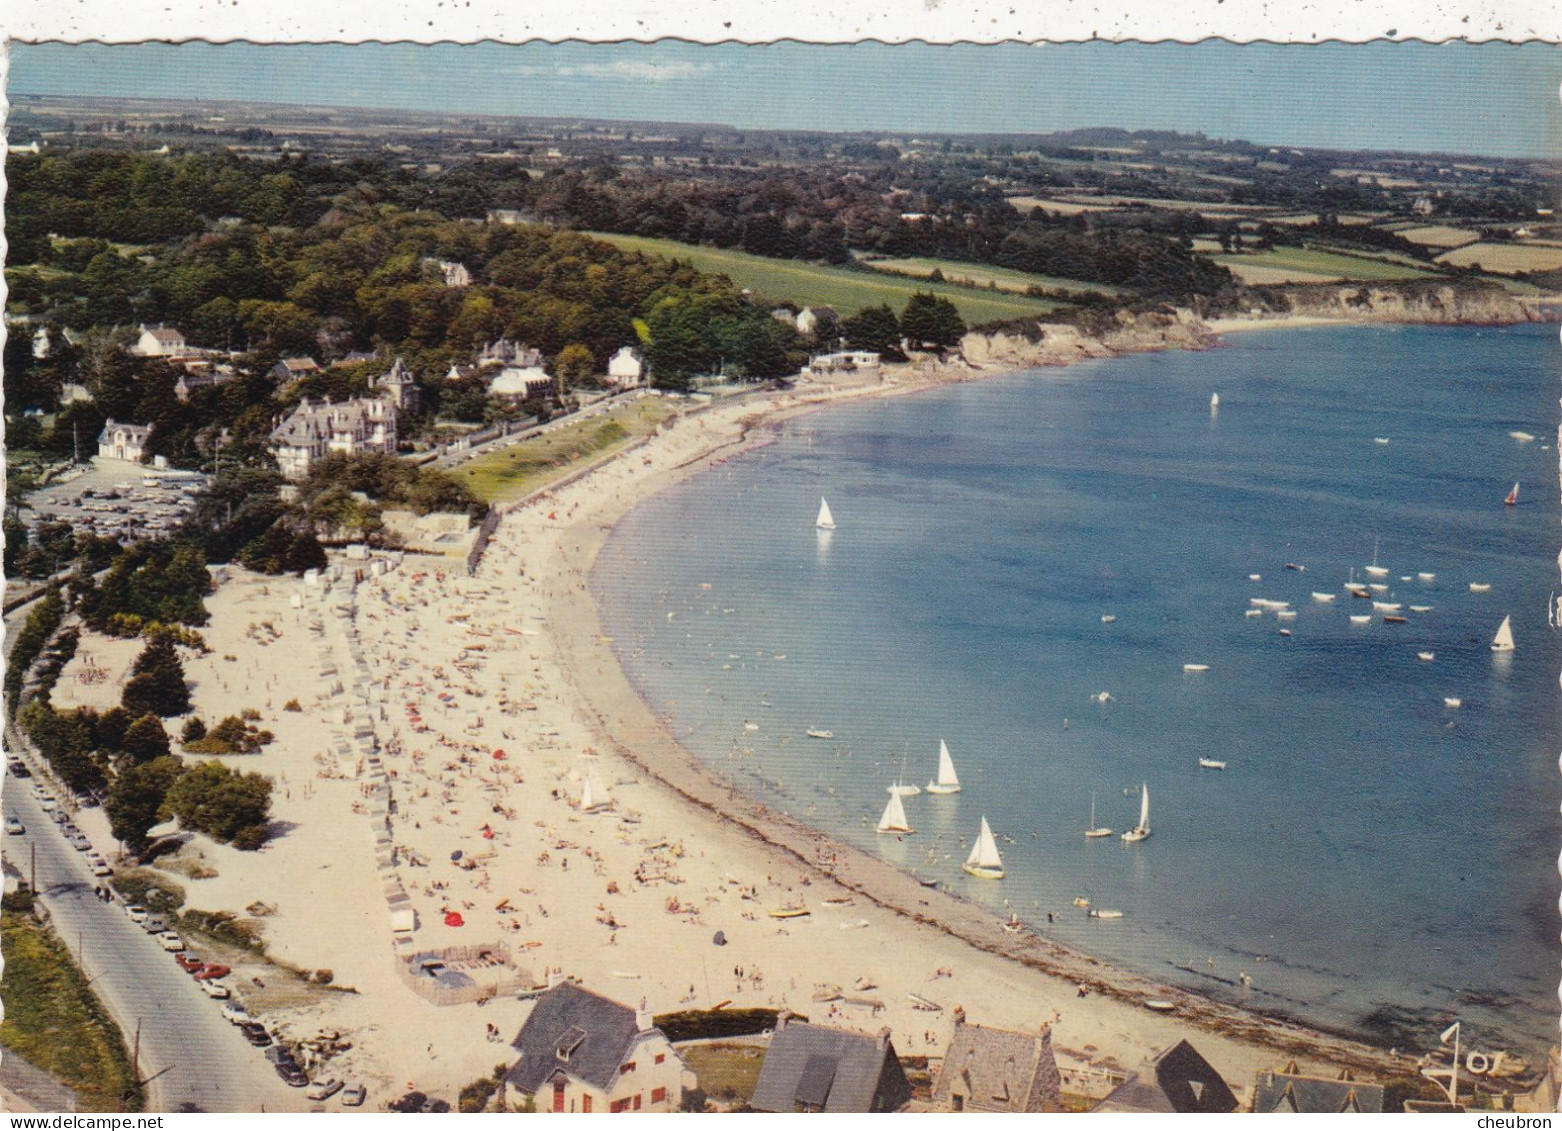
<point>622,719</point>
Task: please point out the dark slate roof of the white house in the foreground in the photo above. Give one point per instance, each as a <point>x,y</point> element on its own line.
<point>596,1036</point>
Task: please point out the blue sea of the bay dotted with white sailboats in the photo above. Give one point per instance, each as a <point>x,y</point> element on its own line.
<point>1375,862</point>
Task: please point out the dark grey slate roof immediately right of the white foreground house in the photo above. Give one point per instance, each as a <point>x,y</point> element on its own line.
<point>832,1071</point>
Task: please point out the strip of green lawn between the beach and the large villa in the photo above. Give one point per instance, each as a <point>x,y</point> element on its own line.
<point>507,474</point>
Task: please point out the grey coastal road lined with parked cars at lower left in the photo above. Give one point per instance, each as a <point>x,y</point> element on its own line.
<point>198,1061</point>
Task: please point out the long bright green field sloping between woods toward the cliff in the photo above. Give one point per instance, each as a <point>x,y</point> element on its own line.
<point>849,291</point>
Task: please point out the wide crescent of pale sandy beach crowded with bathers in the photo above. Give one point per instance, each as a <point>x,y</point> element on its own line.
<point>469,749</point>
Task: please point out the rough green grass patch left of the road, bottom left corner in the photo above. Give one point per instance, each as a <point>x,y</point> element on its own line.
<point>55,1022</point>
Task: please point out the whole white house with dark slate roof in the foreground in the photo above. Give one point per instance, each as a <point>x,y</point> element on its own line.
<point>580,1052</point>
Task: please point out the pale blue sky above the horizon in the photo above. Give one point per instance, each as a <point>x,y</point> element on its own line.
<point>1478,99</point>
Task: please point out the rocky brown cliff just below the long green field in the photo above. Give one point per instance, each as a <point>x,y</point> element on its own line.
<point>1060,344</point>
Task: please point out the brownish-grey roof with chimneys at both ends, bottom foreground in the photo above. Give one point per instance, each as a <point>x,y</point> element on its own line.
<point>999,1071</point>
